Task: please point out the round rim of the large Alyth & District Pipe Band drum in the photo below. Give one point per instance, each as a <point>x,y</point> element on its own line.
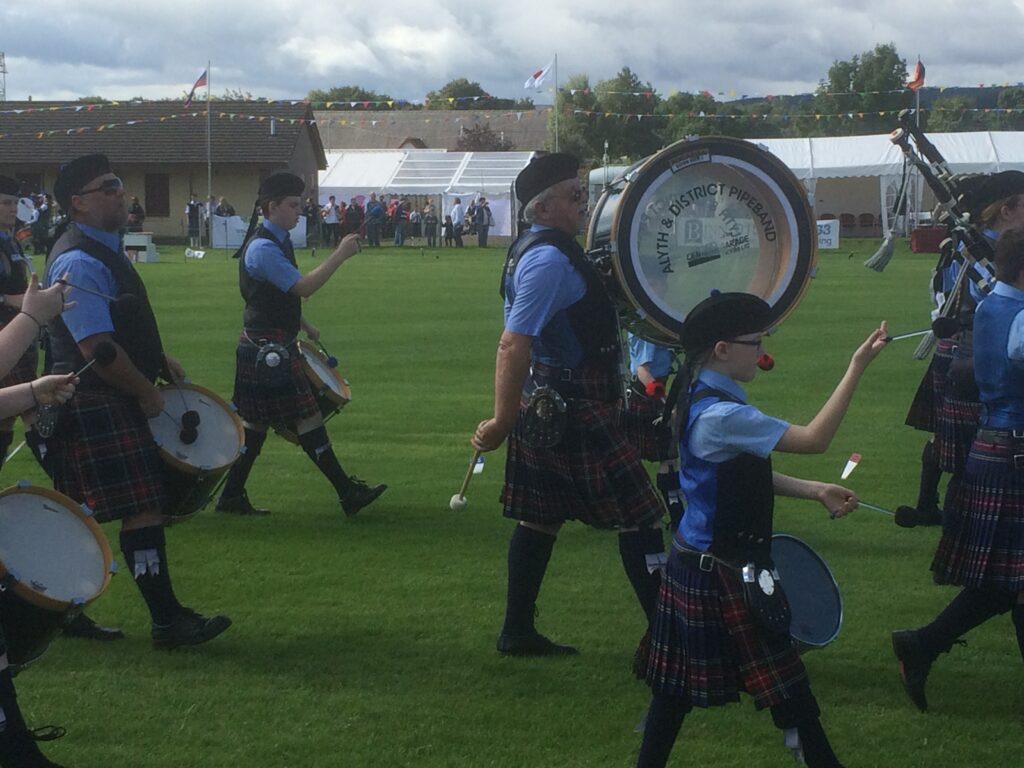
<point>652,318</point>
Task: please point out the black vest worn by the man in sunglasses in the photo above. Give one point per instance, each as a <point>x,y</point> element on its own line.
<point>135,328</point>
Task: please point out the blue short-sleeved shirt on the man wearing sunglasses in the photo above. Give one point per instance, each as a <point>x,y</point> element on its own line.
<point>92,315</point>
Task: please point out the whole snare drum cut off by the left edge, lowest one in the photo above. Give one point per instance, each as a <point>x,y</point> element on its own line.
<point>54,561</point>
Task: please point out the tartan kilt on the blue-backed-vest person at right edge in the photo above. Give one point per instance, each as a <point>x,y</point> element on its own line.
<point>983,542</point>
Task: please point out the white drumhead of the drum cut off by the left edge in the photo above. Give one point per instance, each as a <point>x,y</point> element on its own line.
<point>50,548</point>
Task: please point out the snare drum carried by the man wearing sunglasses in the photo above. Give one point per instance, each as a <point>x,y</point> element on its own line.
<point>195,459</point>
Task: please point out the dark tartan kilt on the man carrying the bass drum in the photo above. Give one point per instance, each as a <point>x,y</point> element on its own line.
<point>594,476</point>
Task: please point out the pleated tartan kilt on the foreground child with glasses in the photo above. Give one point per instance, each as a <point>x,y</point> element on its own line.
<point>705,647</point>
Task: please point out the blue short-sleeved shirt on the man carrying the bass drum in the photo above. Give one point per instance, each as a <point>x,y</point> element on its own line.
<point>544,286</point>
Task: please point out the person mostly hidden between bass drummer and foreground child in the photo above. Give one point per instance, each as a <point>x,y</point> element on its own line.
<point>652,365</point>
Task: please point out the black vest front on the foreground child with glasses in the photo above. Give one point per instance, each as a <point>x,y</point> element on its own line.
<point>746,504</point>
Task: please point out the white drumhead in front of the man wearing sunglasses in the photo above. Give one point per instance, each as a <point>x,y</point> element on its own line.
<point>220,442</point>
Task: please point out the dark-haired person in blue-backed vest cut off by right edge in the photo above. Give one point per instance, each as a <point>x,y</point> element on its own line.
<point>983,545</point>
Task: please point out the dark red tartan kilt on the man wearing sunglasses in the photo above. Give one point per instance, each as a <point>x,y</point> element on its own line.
<point>105,456</point>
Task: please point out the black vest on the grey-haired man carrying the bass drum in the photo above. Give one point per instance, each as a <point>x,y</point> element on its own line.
<point>593,319</point>
